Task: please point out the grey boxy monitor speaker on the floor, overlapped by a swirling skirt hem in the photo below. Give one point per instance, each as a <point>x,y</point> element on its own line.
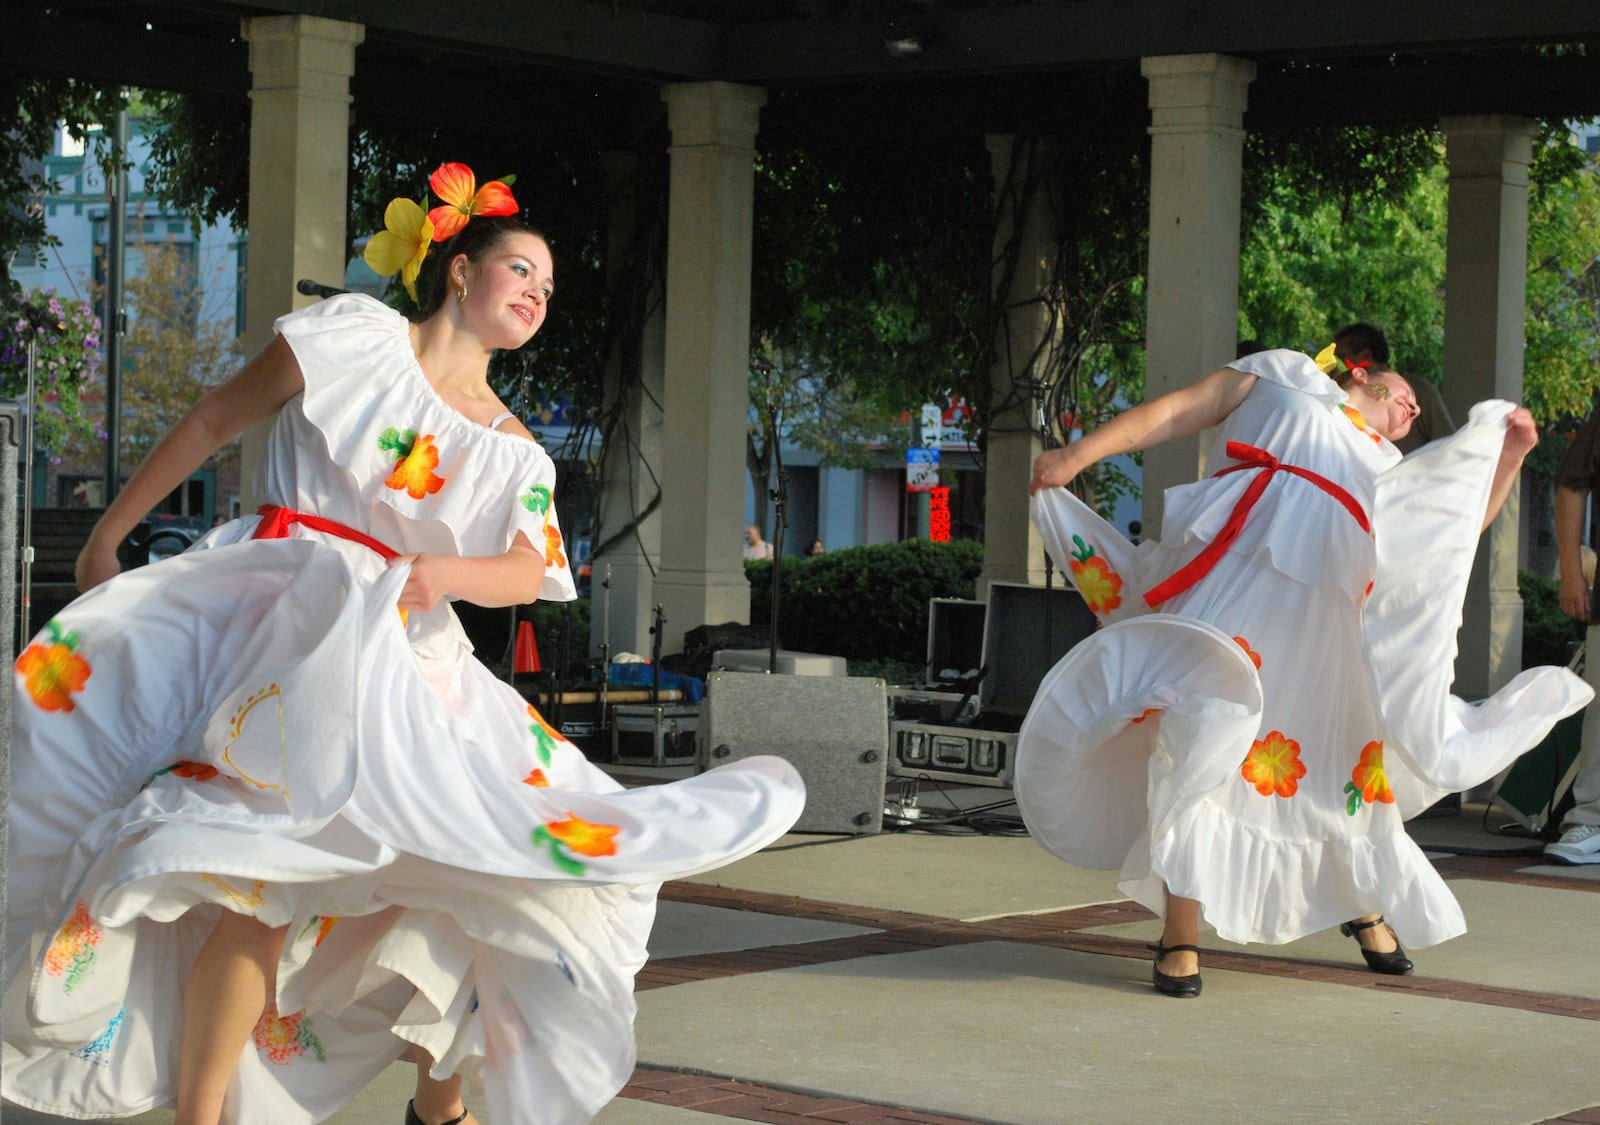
<point>834,731</point>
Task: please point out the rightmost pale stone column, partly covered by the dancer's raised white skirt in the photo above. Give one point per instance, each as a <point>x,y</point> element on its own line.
<point>1486,313</point>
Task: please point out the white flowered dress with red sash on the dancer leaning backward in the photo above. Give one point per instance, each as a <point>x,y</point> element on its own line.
<point>1258,742</point>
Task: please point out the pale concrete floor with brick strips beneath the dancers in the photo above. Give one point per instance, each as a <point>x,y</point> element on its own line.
<point>930,979</point>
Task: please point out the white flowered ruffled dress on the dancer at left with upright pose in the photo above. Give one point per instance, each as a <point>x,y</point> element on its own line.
<point>254,727</point>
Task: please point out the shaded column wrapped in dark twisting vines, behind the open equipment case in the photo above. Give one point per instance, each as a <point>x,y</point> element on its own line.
<point>1014,551</point>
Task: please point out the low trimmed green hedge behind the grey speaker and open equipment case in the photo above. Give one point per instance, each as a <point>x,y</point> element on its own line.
<point>865,604</point>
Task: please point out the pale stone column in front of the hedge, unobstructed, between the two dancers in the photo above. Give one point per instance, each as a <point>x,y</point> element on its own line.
<point>708,354</point>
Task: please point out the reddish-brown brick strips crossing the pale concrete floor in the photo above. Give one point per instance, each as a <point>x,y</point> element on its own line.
<point>902,932</point>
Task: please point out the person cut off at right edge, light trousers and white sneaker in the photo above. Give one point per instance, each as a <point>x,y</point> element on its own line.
<point>1575,490</point>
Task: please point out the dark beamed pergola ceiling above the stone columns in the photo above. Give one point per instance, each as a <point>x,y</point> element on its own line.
<point>591,70</point>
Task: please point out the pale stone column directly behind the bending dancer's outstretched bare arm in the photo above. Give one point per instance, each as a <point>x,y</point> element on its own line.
<point>1198,145</point>
